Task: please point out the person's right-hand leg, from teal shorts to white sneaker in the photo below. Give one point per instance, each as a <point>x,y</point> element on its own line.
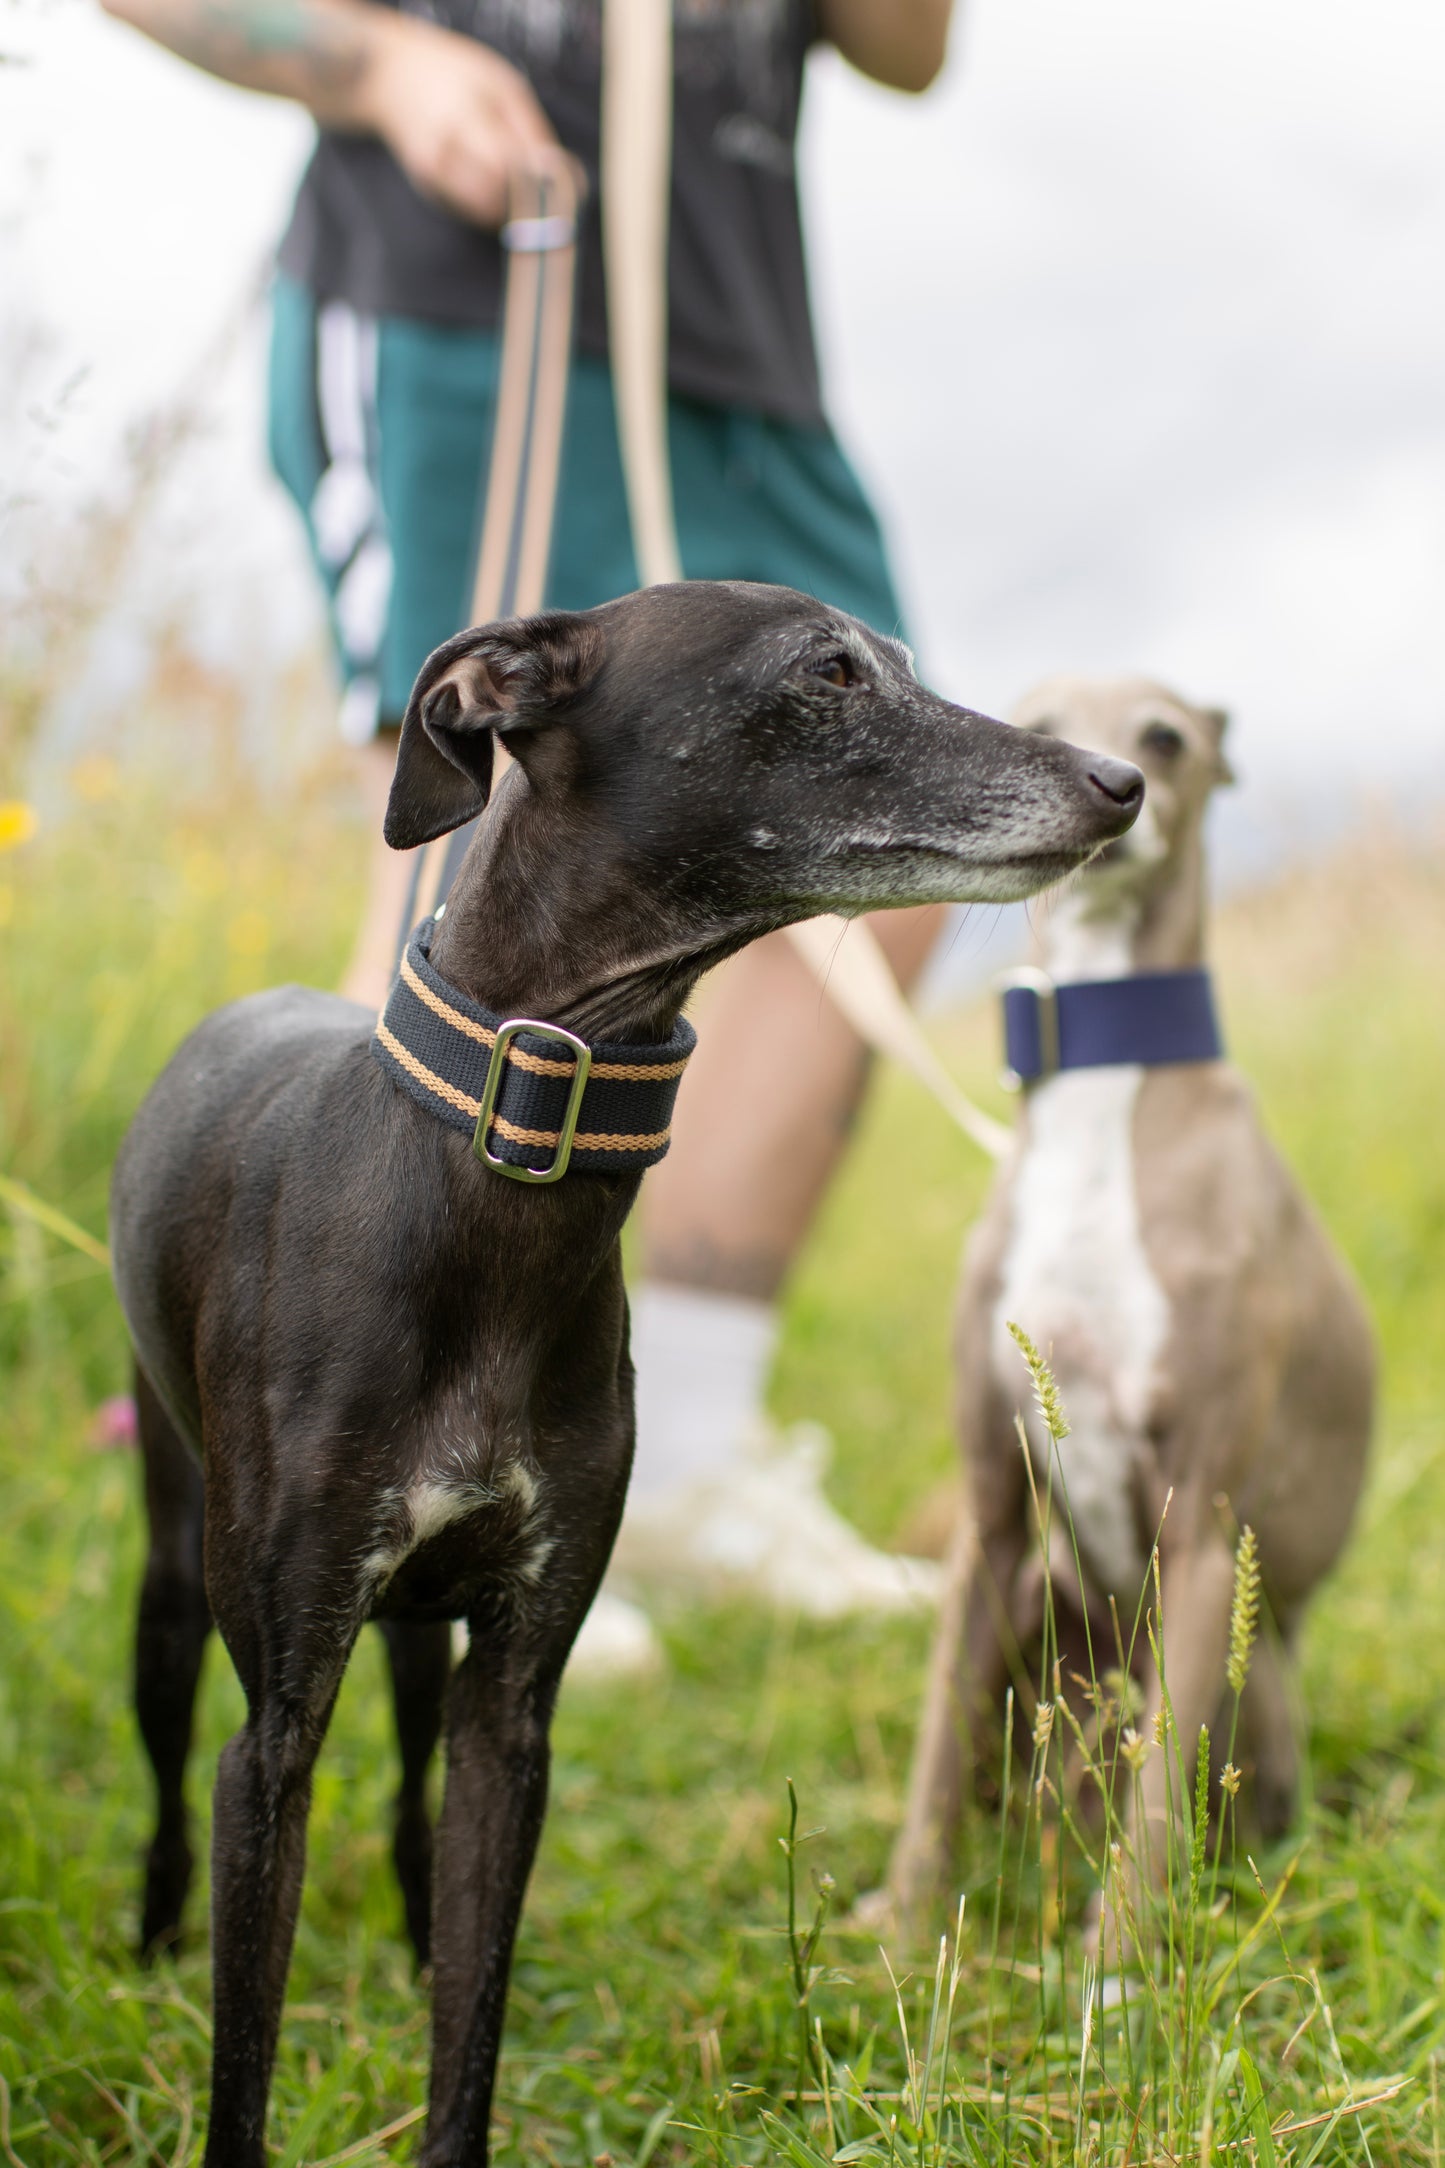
<point>755,1144</point>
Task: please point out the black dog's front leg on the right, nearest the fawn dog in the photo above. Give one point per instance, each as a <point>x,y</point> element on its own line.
<point>497,1772</point>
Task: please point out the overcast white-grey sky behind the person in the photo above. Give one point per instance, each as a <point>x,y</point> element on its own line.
<point>1136,326</point>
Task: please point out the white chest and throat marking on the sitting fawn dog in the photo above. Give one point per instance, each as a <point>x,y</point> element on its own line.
<point>1078,1278</point>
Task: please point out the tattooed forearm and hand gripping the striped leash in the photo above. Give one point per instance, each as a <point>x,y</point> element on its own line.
<point>454,114</point>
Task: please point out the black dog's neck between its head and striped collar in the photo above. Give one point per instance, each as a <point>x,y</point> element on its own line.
<point>534,929</point>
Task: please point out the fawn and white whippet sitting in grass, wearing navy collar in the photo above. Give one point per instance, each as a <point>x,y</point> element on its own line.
<point>1203,1332</point>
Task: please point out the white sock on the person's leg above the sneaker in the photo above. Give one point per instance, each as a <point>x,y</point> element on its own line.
<point>703,1367</point>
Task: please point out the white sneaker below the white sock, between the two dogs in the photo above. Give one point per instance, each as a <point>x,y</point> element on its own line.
<point>766,1530</point>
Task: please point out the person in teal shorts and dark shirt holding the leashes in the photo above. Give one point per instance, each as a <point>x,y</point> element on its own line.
<point>385,372</point>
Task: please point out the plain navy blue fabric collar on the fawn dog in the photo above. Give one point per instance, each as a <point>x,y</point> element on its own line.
<point>1149,1018</point>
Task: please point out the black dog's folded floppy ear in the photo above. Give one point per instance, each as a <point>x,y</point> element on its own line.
<point>504,680</point>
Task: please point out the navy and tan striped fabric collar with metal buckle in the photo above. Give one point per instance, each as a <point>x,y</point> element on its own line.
<point>534,1098</point>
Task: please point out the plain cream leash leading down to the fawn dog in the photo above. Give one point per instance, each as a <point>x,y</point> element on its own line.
<point>844,955</point>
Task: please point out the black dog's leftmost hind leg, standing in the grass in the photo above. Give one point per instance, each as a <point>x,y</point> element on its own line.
<point>174,1621</point>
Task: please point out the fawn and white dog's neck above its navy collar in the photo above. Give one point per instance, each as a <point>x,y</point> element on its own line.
<point>1110,927</point>
